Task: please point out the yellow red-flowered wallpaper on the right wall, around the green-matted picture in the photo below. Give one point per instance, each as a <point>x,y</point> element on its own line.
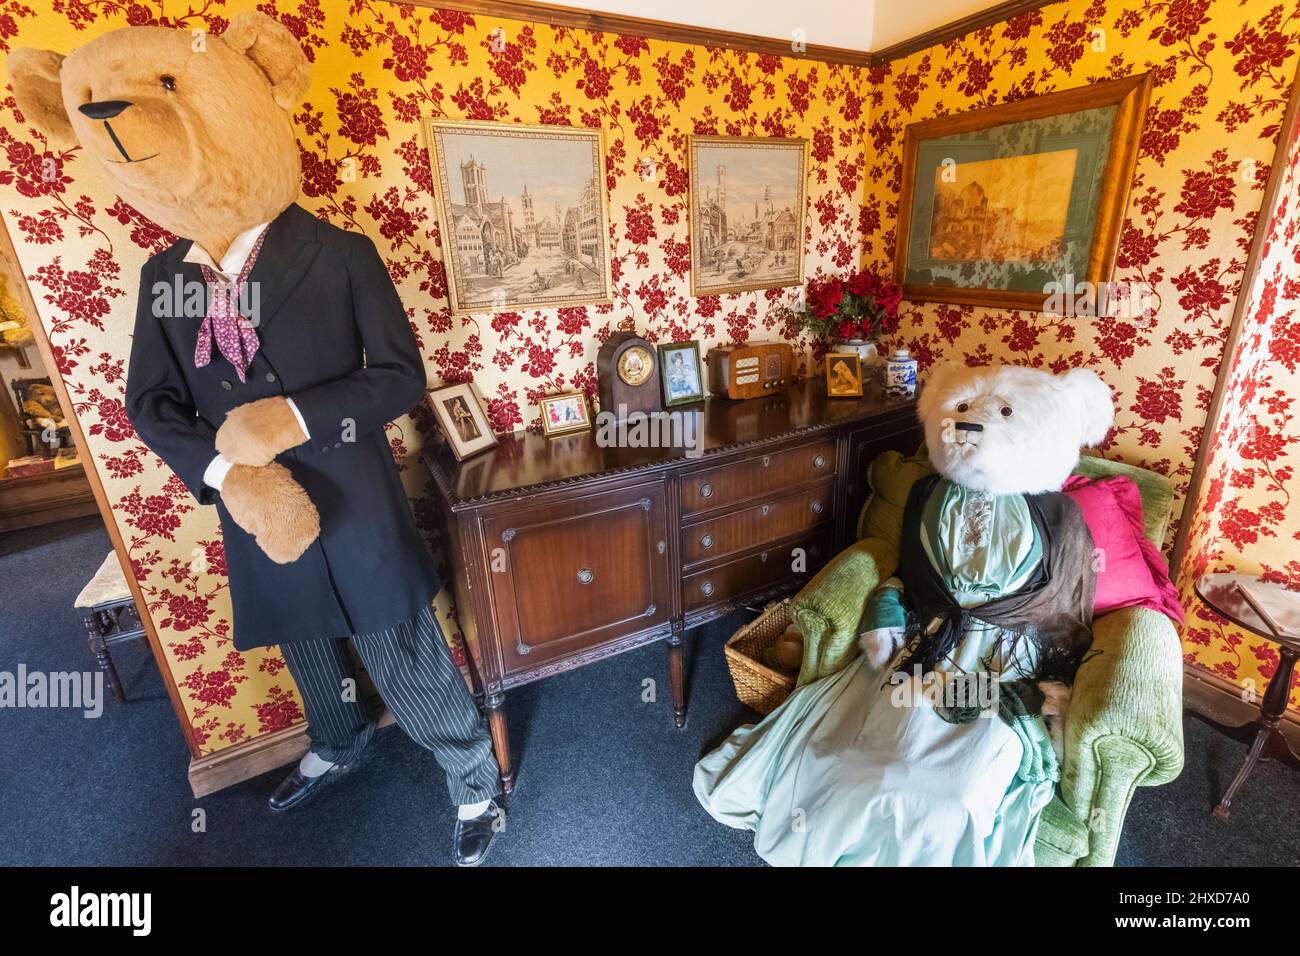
<point>1223,73</point>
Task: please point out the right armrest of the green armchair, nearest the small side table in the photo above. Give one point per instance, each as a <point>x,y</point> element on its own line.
<point>1125,726</point>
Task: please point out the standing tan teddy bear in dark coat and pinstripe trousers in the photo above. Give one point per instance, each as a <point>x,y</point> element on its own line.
<point>271,349</point>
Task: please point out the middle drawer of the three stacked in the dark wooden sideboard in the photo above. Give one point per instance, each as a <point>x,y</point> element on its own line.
<point>773,521</point>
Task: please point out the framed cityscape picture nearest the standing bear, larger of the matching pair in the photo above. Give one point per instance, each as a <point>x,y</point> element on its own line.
<point>523,215</point>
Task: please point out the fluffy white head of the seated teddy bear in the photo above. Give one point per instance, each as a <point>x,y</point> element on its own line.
<point>1007,430</point>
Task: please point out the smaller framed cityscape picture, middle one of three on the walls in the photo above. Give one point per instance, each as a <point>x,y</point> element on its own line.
<point>747,214</point>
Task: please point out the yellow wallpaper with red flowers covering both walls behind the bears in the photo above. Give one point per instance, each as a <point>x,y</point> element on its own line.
<point>1223,73</point>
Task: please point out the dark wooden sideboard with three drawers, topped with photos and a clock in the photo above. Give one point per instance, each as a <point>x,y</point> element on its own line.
<point>565,552</point>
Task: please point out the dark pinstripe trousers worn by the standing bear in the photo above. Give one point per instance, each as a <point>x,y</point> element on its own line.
<point>413,671</point>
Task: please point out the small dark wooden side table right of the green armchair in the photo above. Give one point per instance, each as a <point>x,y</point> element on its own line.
<point>1273,613</point>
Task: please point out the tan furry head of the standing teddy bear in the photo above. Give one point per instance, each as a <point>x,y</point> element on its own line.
<point>193,131</point>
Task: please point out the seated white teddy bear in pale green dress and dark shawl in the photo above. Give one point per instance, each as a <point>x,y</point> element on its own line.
<point>931,747</point>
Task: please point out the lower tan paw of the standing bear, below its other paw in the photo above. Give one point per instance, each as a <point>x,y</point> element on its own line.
<point>274,508</point>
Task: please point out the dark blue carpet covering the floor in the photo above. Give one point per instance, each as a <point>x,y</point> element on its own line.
<point>604,776</point>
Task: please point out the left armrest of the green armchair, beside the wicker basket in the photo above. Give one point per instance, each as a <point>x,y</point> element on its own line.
<point>830,607</point>
